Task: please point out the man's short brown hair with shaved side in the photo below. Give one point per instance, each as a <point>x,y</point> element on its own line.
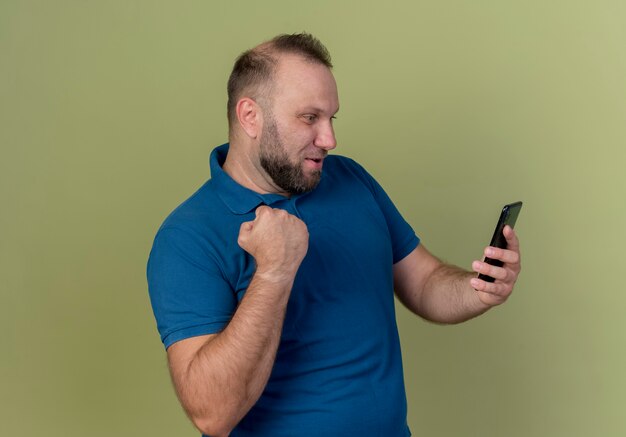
<point>254,69</point>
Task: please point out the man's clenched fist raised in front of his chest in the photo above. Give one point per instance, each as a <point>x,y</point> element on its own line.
<point>277,240</point>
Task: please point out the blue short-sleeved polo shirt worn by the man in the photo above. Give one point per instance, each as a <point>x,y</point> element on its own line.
<point>338,370</point>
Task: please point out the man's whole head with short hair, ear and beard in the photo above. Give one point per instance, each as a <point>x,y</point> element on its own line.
<point>282,100</point>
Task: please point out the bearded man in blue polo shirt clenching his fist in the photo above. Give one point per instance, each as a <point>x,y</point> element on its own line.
<point>273,284</point>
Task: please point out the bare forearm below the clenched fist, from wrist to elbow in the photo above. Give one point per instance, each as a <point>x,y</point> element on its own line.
<point>227,375</point>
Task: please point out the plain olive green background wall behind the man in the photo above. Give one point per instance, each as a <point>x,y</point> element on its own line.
<point>108,111</point>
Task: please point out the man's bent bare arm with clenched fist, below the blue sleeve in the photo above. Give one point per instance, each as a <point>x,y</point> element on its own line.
<point>219,377</point>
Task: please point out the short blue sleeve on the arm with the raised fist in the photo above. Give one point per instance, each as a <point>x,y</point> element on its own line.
<point>188,291</point>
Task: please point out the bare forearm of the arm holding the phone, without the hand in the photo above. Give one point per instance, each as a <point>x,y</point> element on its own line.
<point>448,296</point>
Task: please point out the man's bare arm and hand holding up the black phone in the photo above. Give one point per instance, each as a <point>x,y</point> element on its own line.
<point>445,293</point>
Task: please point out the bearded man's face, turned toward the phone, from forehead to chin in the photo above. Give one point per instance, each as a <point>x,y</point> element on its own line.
<point>297,126</point>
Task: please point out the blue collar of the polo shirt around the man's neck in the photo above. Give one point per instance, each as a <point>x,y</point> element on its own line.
<point>239,199</point>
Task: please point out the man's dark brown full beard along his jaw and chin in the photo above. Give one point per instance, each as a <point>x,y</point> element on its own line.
<point>275,161</point>
